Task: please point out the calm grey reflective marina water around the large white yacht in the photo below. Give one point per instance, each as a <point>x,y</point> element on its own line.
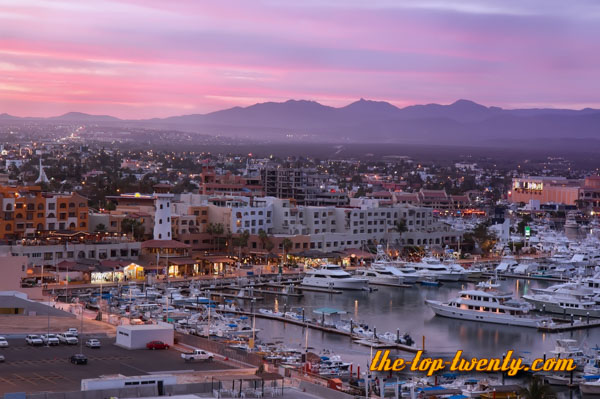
<point>391,308</point>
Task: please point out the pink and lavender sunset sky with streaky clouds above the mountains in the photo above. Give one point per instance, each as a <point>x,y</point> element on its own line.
<point>156,58</point>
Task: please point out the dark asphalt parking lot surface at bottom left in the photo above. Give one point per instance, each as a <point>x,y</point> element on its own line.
<point>39,369</point>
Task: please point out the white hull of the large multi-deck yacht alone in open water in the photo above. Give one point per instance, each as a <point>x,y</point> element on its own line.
<point>441,309</point>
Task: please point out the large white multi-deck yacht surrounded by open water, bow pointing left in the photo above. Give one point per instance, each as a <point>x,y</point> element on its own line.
<point>488,307</point>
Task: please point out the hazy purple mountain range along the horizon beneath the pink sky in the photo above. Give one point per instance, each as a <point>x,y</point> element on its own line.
<point>458,123</point>
